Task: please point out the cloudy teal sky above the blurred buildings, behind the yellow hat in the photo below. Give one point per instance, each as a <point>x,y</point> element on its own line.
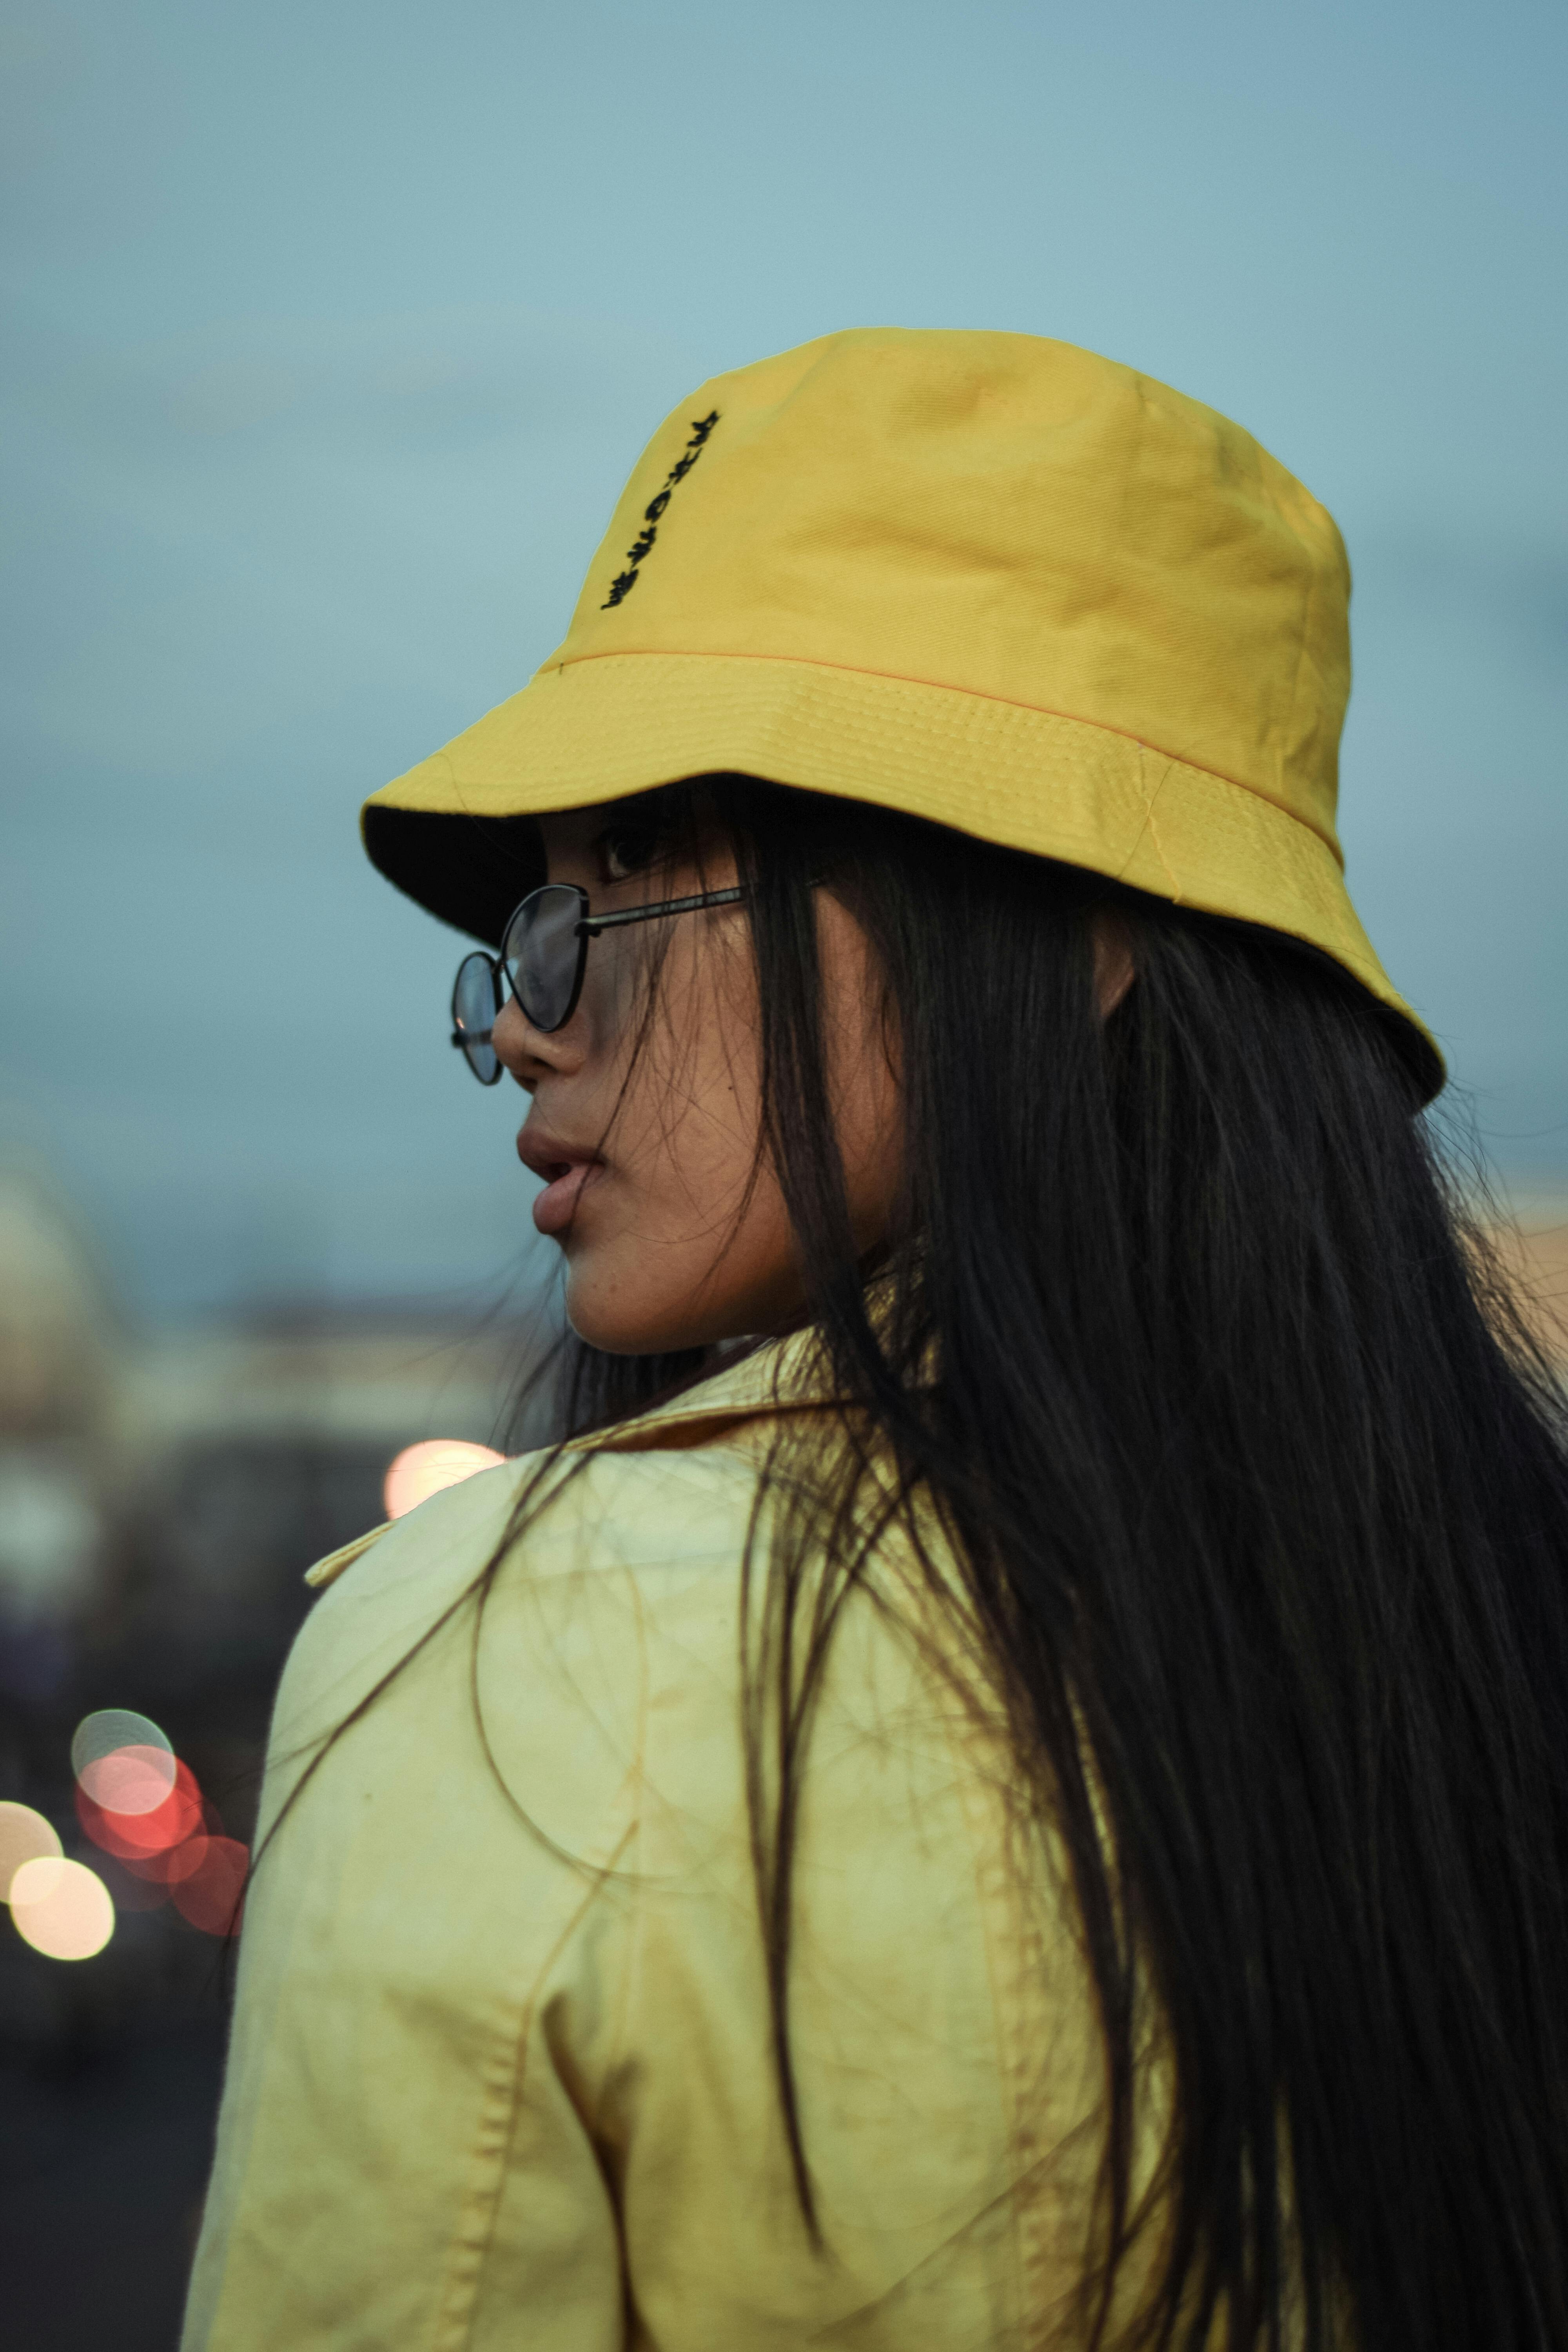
<point>335,333</point>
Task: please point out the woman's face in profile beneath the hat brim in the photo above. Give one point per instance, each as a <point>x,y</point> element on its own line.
<point>648,1102</point>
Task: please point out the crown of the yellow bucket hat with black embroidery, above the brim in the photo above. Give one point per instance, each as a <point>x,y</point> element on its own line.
<point>1003,516</point>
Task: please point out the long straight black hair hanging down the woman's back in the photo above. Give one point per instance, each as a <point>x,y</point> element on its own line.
<point>1259,1490</point>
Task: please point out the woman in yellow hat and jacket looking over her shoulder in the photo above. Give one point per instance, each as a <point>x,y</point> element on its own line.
<point>1005,1786</point>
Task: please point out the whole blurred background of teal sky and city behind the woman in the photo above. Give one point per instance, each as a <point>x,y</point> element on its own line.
<point>333,338</point>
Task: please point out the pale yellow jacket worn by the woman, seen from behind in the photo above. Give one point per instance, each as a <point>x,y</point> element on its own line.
<point>502,2066</point>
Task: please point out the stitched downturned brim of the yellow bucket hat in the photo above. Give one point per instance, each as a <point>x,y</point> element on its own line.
<point>457,834</point>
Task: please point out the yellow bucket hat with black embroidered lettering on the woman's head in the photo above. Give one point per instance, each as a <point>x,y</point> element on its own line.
<point>989,580</point>
